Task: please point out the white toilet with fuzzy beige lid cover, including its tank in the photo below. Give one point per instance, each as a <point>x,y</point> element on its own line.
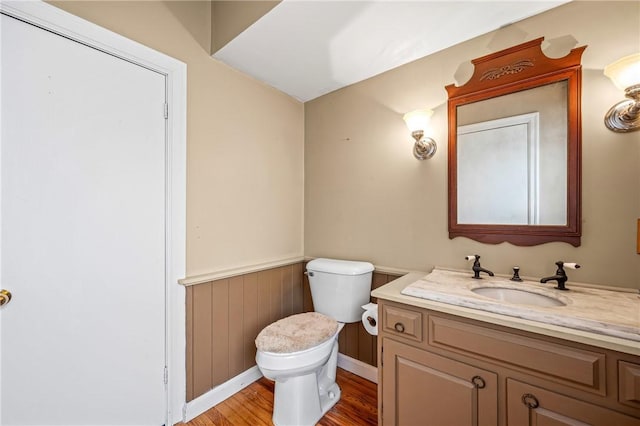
<point>300,352</point>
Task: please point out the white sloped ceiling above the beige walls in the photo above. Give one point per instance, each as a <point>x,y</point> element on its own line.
<point>308,48</point>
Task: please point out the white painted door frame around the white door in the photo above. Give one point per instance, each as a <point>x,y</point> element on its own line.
<point>67,25</point>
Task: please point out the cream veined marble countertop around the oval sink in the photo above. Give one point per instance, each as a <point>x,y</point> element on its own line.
<point>595,316</point>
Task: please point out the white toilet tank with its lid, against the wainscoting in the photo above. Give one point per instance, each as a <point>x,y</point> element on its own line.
<point>339,288</point>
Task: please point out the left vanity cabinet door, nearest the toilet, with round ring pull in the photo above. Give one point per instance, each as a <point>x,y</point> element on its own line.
<point>421,388</point>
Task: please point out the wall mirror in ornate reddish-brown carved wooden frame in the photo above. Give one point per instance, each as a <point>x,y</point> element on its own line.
<point>515,148</point>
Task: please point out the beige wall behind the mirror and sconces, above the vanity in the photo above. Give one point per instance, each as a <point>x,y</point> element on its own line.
<point>366,197</point>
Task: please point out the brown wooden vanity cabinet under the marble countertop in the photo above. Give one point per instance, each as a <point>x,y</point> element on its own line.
<point>441,369</point>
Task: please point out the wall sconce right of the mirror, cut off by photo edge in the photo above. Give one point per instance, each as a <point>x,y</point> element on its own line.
<point>625,73</point>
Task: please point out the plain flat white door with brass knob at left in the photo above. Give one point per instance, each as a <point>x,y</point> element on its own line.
<point>82,224</point>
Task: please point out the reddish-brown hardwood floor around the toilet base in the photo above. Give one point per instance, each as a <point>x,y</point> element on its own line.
<point>254,404</point>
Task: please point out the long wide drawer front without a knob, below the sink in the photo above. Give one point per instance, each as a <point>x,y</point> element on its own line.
<point>575,367</point>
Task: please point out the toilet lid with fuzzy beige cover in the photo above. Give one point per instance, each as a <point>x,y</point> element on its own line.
<point>296,333</point>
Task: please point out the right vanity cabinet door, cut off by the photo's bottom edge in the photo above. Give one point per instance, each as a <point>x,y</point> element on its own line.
<point>531,405</point>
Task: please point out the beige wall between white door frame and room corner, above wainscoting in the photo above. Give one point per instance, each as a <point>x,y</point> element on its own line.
<point>244,143</point>
